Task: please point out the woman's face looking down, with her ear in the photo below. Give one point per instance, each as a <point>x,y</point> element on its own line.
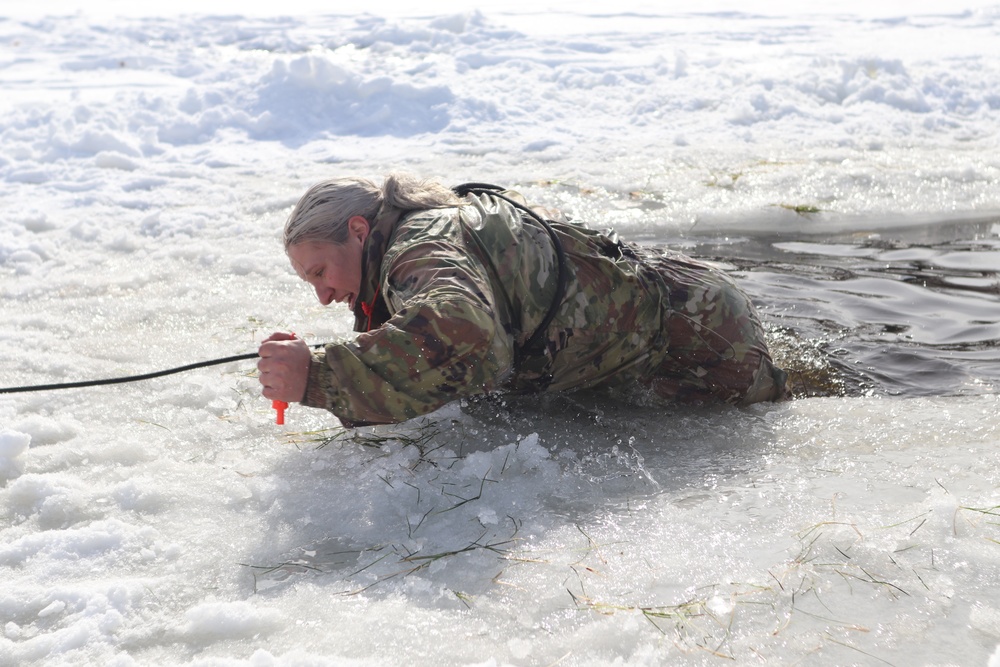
<point>333,269</point>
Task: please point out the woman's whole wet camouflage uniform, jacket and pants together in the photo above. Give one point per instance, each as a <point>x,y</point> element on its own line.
<point>450,296</point>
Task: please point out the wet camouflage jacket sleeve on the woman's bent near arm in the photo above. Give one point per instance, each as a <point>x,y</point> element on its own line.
<point>444,340</point>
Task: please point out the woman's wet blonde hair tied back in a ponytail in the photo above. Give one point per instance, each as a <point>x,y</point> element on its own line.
<point>321,214</point>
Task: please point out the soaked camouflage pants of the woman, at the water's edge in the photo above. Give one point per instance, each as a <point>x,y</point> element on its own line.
<point>716,348</point>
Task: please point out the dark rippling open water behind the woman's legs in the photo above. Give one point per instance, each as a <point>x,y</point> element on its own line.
<point>912,311</point>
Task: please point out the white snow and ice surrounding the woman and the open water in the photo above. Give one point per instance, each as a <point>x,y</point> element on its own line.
<point>149,157</point>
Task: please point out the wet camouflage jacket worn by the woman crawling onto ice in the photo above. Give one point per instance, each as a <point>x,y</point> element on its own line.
<point>449,297</point>
